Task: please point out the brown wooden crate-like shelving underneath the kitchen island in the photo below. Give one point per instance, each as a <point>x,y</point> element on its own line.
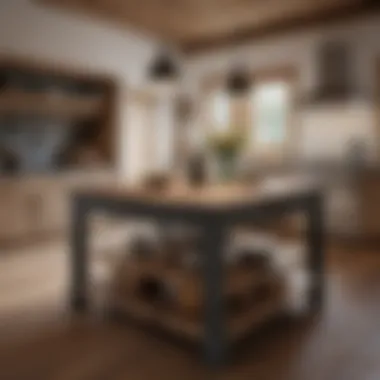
<point>183,313</point>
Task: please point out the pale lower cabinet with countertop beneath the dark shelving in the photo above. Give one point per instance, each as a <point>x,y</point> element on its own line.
<point>39,208</point>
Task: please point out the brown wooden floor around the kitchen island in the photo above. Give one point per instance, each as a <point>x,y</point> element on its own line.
<point>40,340</point>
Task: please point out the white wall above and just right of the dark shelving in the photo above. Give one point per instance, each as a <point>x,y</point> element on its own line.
<point>32,30</point>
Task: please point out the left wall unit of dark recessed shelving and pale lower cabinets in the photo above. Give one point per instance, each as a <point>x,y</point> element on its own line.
<point>57,132</point>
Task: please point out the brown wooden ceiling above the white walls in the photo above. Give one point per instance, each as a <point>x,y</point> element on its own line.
<point>200,24</point>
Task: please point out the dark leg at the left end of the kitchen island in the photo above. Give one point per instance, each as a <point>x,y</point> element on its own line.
<point>79,256</point>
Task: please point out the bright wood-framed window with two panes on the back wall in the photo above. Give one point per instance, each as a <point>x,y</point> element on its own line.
<point>264,115</point>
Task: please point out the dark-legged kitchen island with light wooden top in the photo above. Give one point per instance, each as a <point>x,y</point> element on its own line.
<point>213,210</point>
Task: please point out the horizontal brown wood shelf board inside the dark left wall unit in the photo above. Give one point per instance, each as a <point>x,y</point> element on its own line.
<point>51,104</point>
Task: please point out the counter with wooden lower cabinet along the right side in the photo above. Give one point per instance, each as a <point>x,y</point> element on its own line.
<point>352,193</point>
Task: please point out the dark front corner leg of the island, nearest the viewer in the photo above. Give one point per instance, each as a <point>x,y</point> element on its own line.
<point>215,342</point>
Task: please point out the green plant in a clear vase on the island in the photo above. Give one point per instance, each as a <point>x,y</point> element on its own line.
<point>226,147</point>
